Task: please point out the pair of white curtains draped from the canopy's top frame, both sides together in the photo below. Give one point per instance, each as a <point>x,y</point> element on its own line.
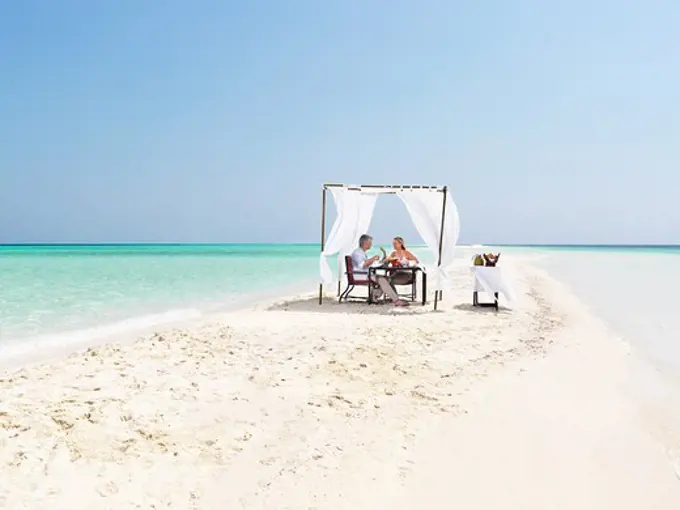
<point>355,205</point>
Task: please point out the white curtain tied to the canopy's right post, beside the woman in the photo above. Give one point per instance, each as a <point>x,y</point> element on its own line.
<point>425,208</point>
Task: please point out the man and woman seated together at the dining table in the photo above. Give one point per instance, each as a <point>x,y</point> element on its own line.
<point>385,284</point>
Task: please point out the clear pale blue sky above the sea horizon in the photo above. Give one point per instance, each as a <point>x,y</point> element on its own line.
<point>166,120</point>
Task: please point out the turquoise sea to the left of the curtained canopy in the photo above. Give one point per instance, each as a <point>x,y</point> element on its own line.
<point>48,289</point>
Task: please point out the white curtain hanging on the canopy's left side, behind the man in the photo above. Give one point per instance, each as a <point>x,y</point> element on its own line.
<point>355,211</point>
